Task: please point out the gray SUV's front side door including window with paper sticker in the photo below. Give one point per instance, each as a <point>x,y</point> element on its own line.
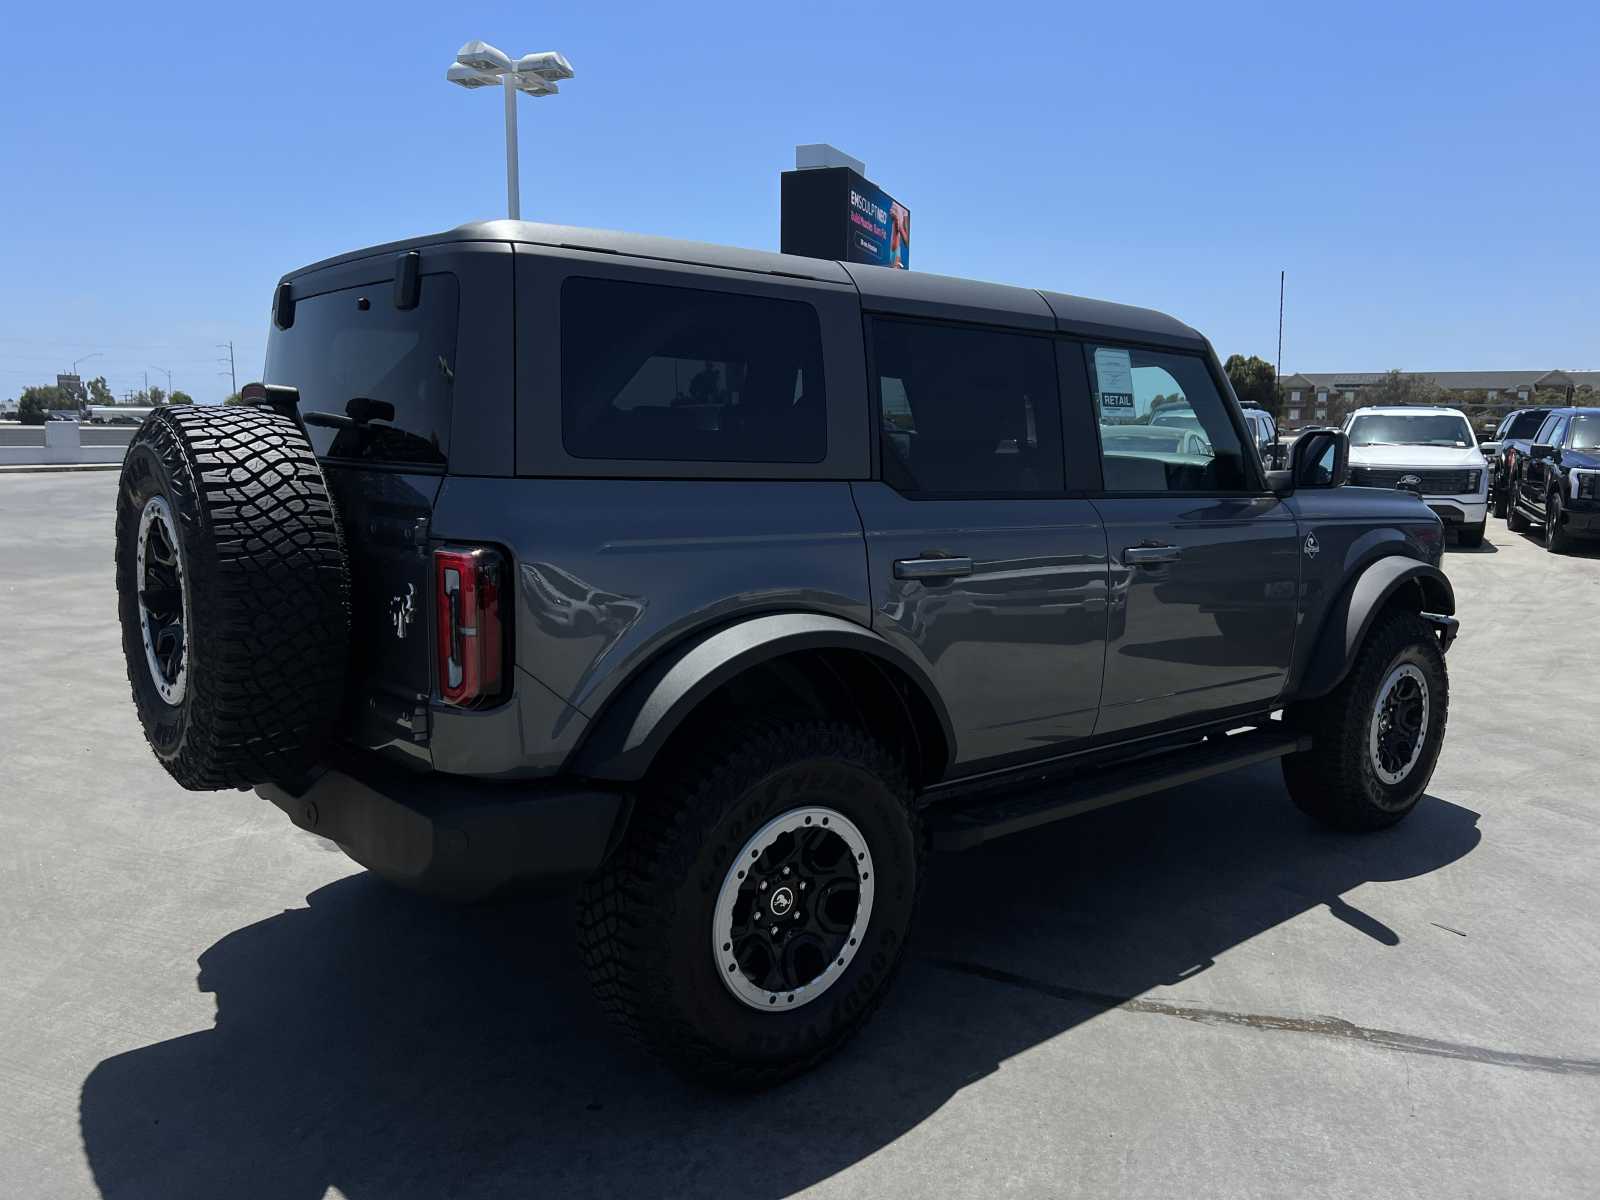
<point>1204,559</point>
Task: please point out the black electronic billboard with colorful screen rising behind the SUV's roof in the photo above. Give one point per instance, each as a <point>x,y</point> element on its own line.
<point>839,214</point>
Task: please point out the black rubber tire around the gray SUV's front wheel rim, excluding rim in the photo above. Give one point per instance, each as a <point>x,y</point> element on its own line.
<point>1335,782</point>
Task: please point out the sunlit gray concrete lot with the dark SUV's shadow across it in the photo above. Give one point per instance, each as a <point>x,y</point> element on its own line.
<point>1194,994</point>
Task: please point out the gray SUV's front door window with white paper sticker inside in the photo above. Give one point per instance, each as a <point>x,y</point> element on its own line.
<point>1164,426</point>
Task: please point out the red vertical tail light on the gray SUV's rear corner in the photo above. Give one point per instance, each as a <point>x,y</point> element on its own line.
<point>470,585</point>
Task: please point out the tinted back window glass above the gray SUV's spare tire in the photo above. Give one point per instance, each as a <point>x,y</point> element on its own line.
<point>354,354</point>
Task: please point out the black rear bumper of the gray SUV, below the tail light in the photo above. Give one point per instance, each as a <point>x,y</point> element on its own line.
<point>454,836</point>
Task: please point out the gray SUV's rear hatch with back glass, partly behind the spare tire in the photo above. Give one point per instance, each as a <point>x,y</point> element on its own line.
<point>375,391</point>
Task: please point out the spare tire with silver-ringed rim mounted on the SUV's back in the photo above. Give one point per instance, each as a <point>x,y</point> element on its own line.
<point>234,594</point>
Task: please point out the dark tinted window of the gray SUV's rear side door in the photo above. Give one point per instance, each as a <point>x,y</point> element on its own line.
<point>967,412</point>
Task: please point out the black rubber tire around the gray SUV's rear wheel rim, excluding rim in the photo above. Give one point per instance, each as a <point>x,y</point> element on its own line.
<point>646,919</point>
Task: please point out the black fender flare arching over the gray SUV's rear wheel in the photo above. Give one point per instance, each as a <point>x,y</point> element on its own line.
<point>638,722</point>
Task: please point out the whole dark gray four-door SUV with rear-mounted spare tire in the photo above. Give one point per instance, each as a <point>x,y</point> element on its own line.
<point>724,585</point>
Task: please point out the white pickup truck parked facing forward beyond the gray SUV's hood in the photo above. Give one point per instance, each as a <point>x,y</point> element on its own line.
<point>1428,450</point>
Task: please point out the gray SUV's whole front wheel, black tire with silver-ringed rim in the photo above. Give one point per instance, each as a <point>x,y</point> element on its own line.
<point>1377,737</point>
